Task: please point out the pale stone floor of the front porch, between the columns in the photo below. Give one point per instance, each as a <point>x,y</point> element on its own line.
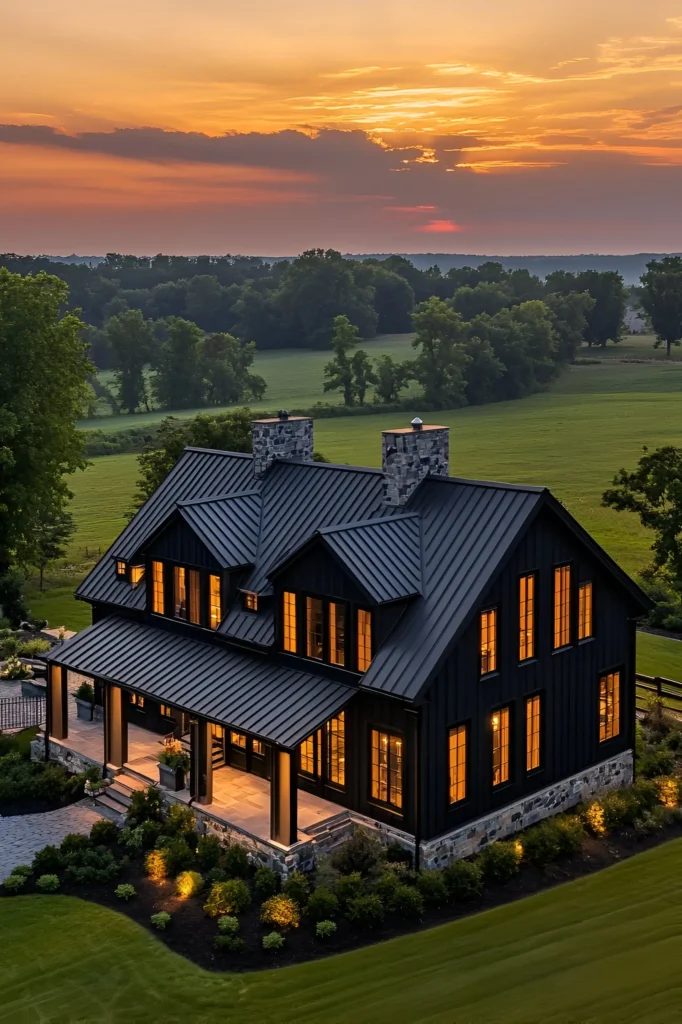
<point>239,798</point>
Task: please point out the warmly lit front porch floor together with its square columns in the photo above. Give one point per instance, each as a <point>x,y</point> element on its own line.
<point>275,810</point>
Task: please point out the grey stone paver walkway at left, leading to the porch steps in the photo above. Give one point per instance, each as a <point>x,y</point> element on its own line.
<point>24,835</point>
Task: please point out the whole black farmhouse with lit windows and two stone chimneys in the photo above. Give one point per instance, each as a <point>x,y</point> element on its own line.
<point>446,661</point>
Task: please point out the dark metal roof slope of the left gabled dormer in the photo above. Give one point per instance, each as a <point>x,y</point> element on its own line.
<point>229,527</point>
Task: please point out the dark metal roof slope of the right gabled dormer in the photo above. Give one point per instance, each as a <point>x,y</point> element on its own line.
<point>383,556</point>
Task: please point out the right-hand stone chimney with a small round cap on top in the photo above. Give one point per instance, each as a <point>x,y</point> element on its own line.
<point>411,454</point>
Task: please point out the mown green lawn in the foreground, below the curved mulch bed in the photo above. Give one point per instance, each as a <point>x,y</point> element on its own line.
<point>608,949</point>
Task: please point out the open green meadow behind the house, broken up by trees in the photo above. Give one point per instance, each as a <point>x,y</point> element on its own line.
<point>573,439</point>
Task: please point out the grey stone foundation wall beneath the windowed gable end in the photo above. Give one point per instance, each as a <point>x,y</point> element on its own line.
<point>613,775</point>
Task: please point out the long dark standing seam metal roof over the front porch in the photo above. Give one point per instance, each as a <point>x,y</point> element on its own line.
<point>244,692</point>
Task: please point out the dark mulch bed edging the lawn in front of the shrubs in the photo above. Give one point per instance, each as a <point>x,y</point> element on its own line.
<point>191,932</point>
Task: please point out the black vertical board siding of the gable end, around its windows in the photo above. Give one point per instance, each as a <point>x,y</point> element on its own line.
<point>568,681</point>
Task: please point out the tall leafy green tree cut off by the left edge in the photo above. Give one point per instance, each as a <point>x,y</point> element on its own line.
<point>44,386</point>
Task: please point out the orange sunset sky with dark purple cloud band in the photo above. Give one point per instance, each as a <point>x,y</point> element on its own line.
<point>503,126</point>
